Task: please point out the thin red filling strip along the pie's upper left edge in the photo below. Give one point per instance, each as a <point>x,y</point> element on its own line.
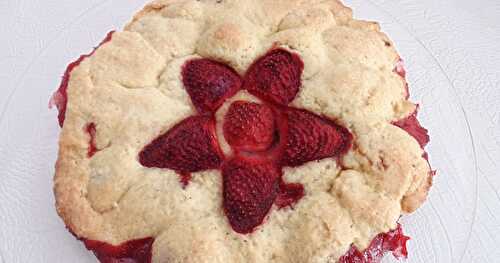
<point>60,97</point>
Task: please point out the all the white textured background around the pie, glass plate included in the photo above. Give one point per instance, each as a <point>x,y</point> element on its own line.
<point>452,52</point>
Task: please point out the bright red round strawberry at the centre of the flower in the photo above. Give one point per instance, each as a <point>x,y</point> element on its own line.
<point>249,126</point>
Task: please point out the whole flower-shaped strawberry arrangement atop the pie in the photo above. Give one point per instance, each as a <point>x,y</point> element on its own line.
<point>264,137</point>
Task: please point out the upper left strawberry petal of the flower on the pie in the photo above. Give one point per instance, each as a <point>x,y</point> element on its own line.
<point>209,83</point>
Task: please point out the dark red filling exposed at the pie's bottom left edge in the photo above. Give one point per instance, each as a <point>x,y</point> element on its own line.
<point>134,251</point>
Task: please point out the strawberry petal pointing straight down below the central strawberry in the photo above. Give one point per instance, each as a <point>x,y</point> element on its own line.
<point>250,188</point>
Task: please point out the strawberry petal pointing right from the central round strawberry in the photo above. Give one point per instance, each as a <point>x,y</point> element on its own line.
<point>311,137</point>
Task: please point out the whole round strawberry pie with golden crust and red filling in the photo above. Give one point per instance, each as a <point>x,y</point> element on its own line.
<point>240,131</point>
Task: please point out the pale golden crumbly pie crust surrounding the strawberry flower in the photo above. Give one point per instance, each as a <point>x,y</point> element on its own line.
<point>131,89</point>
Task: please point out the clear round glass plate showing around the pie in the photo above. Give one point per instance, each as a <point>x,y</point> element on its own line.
<point>30,230</point>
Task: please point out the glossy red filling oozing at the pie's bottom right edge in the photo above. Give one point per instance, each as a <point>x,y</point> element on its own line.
<point>393,241</point>
